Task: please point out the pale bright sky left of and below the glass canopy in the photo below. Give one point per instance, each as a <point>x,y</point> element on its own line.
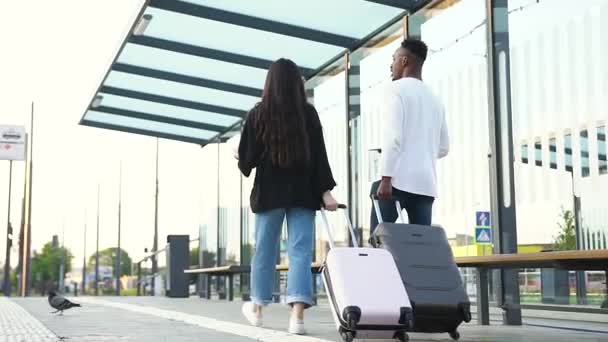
<point>55,54</point>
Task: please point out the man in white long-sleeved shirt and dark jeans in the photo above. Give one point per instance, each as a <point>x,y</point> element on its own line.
<point>414,137</point>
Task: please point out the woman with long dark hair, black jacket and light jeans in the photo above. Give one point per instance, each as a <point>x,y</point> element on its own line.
<point>283,140</point>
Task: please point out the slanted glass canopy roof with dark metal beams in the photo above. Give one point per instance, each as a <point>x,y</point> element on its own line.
<point>189,70</point>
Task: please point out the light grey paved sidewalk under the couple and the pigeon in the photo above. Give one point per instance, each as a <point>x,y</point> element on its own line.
<point>193,319</point>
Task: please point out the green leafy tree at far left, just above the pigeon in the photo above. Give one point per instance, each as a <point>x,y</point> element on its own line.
<point>45,266</point>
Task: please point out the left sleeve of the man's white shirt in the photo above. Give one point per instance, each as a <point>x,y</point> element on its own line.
<point>392,117</point>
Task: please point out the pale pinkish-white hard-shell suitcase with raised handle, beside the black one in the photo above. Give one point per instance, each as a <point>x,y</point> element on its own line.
<point>365,291</point>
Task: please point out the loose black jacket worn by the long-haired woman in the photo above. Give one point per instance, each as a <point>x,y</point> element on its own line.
<point>293,187</point>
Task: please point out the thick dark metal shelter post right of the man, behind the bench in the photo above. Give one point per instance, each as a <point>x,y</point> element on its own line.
<point>501,162</point>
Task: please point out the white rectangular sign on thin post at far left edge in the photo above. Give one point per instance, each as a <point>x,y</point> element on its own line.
<point>12,147</point>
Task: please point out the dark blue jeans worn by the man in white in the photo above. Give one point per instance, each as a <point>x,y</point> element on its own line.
<point>419,208</point>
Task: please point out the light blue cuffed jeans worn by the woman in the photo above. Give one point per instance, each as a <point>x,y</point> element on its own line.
<point>268,227</point>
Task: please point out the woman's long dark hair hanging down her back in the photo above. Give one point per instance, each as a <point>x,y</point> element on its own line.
<point>281,118</point>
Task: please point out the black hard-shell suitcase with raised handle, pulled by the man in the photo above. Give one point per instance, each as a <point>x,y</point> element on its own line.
<point>431,277</point>
